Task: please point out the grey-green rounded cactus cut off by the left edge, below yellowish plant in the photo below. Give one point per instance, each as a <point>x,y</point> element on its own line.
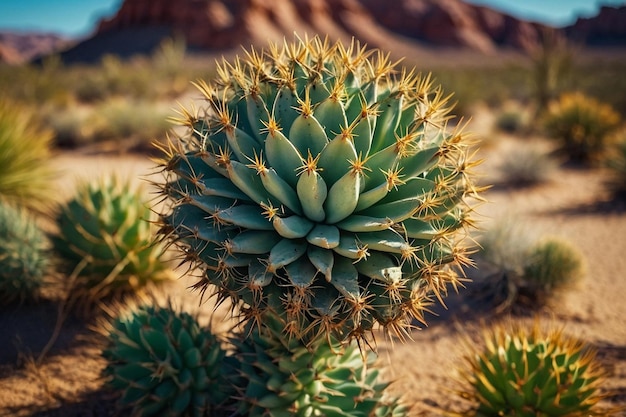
<point>24,257</point>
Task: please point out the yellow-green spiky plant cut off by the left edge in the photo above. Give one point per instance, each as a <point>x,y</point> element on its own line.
<point>25,171</point>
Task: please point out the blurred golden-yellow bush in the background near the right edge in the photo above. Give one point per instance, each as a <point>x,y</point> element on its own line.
<point>581,125</point>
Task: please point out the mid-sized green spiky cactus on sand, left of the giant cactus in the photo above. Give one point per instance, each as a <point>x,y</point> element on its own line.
<point>105,239</point>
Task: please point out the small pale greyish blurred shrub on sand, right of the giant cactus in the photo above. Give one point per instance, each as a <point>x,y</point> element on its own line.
<point>526,166</point>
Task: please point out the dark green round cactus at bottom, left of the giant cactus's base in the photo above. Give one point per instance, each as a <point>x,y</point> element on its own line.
<point>163,363</point>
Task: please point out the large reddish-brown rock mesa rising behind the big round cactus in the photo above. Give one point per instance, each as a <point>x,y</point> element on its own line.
<point>220,24</point>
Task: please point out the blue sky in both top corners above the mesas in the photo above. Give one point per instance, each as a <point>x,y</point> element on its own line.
<point>78,17</point>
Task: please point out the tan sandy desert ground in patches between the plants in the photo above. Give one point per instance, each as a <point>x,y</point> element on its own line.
<point>574,205</point>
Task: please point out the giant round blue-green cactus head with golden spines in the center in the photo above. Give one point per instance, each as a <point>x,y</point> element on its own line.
<point>321,183</point>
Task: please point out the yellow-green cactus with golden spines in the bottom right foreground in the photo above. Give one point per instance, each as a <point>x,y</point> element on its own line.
<point>532,374</point>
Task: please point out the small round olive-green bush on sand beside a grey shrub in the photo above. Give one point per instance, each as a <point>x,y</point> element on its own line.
<point>552,264</point>
